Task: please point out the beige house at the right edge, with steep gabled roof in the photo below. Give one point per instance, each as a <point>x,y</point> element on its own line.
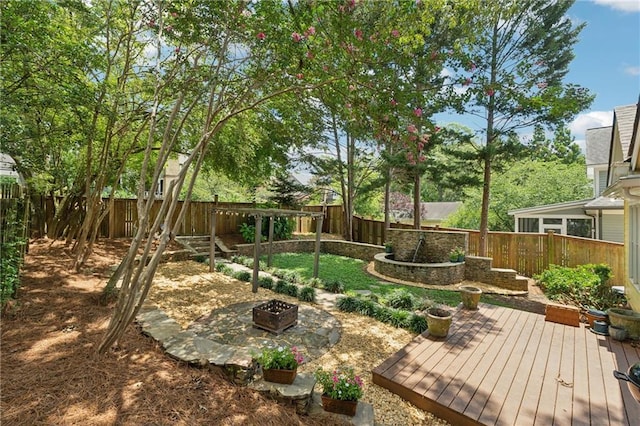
<point>623,181</point>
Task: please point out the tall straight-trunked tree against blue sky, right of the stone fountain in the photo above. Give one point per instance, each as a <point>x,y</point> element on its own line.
<point>516,77</point>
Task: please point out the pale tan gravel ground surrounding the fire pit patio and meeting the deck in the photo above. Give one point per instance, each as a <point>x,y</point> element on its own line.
<point>187,291</point>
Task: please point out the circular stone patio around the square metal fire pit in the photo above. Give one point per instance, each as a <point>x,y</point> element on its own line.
<point>316,331</point>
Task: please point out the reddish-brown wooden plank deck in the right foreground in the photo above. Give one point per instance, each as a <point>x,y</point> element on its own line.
<point>509,367</point>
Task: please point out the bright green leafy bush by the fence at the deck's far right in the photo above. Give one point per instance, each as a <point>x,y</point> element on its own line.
<point>585,286</point>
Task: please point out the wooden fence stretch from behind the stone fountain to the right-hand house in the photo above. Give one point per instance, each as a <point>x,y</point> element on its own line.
<point>527,253</point>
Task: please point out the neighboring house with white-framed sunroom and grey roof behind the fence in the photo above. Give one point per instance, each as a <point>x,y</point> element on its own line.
<point>600,217</point>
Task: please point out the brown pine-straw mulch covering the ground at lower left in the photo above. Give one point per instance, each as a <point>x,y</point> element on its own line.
<point>51,373</point>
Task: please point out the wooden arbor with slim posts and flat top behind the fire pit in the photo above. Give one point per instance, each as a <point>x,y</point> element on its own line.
<point>258,214</point>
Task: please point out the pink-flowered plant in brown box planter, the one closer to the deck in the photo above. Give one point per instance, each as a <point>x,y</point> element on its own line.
<point>341,390</point>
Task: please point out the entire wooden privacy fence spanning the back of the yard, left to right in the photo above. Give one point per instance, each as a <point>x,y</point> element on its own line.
<point>527,253</point>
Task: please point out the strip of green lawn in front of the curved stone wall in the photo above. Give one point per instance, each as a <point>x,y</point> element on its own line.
<point>352,274</point>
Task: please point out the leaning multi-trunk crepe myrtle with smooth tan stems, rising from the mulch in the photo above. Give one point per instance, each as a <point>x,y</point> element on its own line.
<point>213,61</point>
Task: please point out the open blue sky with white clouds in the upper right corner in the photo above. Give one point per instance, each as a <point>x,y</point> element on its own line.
<point>607,59</point>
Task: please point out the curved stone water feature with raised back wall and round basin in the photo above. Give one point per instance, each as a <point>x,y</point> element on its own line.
<point>423,256</point>
